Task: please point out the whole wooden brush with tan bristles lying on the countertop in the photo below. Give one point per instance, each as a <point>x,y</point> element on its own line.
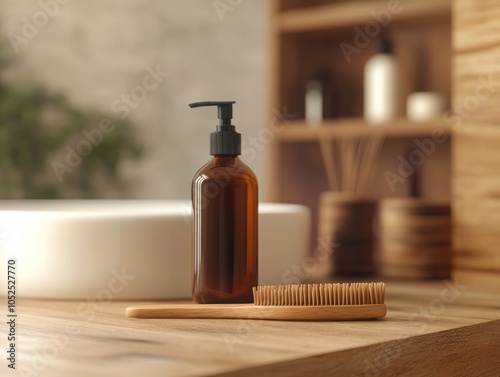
<point>304,302</point>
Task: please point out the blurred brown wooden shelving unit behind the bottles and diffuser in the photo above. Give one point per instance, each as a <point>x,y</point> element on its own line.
<point>304,38</point>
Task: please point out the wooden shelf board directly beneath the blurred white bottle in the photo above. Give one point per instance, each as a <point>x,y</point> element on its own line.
<point>401,128</point>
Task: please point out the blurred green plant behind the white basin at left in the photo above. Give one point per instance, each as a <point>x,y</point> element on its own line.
<point>36,128</point>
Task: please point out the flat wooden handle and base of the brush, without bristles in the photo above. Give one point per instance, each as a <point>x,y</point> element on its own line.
<point>250,311</point>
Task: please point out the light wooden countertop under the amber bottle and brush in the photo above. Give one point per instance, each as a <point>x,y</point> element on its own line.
<point>430,329</point>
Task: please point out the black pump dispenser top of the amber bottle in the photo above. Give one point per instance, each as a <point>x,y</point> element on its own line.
<point>225,141</point>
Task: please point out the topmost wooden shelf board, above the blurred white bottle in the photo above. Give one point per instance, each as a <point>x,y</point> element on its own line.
<point>352,13</point>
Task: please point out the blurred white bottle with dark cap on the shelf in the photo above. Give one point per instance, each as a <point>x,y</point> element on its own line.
<point>380,85</point>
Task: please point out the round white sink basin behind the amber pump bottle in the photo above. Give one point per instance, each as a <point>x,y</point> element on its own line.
<point>103,250</point>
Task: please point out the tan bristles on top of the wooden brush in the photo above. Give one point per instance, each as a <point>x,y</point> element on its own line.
<point>319,294</point>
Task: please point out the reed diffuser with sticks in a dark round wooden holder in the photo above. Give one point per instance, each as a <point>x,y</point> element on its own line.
<point>347,211</point>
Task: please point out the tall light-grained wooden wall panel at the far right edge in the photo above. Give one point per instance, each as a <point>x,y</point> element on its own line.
<point>476,148</point>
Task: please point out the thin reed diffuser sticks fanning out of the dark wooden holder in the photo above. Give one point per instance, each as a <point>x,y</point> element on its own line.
<point>350,162</point>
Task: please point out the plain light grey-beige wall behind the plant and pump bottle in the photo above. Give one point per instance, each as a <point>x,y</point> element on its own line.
<point>96,50</point>
